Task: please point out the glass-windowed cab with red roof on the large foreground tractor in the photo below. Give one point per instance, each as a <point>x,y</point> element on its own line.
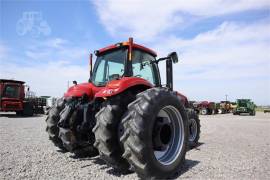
<point>118,61</point>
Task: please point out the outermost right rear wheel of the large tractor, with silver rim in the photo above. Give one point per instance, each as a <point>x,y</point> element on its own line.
<point>155,134</point>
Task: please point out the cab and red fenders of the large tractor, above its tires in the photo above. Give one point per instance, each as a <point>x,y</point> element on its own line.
<point>122,66</point>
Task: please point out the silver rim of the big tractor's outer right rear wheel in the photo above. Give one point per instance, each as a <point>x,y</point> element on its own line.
<point>170,135</point>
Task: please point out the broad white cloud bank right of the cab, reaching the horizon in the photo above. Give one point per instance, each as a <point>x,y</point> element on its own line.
<point>233,58</point>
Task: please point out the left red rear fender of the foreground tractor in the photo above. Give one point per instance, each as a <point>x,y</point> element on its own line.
<point>84,88</point>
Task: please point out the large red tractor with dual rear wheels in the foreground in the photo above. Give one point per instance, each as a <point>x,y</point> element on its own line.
<point>125,115</point>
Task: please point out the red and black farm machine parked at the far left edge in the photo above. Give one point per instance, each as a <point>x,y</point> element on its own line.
<point>13,98</point>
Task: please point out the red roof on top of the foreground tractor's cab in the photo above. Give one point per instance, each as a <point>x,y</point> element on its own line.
<point>122,44</point>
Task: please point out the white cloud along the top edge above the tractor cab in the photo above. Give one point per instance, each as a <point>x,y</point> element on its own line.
<point>148,19</point>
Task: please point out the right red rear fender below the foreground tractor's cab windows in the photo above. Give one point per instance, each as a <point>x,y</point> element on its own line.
<point>115,87</point>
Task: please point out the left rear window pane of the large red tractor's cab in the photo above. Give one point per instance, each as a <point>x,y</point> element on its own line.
<point>109,66</point>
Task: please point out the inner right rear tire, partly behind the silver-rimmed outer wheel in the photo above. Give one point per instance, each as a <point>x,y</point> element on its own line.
<point>106,131</point>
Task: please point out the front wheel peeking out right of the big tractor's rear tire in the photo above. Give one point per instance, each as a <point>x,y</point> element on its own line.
<point>194,128</point>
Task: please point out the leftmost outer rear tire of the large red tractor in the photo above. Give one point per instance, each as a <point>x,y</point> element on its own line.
<point>52,121</point>
